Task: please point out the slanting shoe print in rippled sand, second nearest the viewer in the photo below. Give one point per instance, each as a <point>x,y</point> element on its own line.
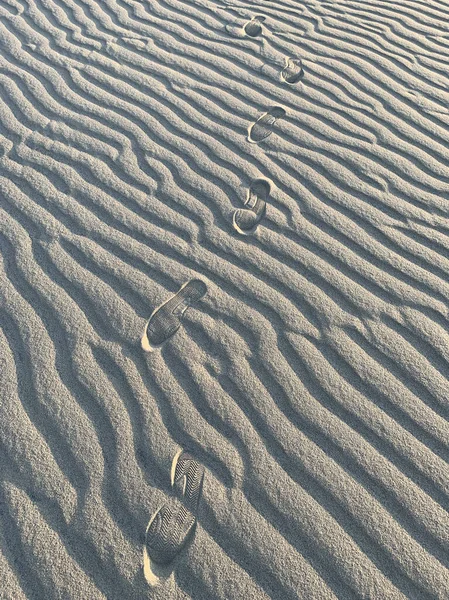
<point>166,320</point>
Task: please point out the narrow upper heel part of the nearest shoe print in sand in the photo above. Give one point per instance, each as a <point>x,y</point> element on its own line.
<point>187,477</point>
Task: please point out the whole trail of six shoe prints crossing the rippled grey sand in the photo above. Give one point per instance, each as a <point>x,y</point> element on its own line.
<point>172,525</point>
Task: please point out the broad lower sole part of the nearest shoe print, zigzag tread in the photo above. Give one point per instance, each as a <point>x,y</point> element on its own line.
<point>168,532</point>
